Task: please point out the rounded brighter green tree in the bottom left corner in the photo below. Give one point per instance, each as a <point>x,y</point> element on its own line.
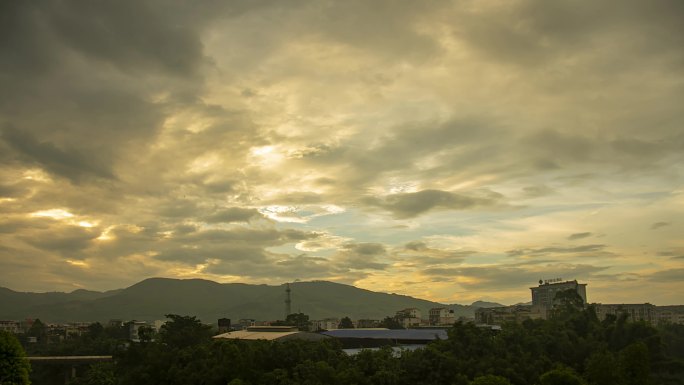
<point>14,367</point>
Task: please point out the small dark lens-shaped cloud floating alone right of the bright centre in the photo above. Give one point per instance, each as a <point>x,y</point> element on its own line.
<point>409,205</point>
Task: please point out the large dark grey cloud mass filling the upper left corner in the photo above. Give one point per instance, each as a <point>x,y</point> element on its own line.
<point>78,78</point>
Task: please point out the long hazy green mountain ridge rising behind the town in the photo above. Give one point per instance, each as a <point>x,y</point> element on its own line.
<point>152,298</point>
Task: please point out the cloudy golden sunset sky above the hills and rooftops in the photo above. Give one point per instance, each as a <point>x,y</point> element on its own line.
<point>448,150</point>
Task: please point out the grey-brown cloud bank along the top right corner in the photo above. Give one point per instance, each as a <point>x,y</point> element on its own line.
<point>545,31</point>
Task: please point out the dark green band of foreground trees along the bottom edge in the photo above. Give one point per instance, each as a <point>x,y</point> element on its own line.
<point>572,348</point>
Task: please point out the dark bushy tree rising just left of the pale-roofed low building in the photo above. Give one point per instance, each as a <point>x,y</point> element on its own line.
<point>184,331</point>
